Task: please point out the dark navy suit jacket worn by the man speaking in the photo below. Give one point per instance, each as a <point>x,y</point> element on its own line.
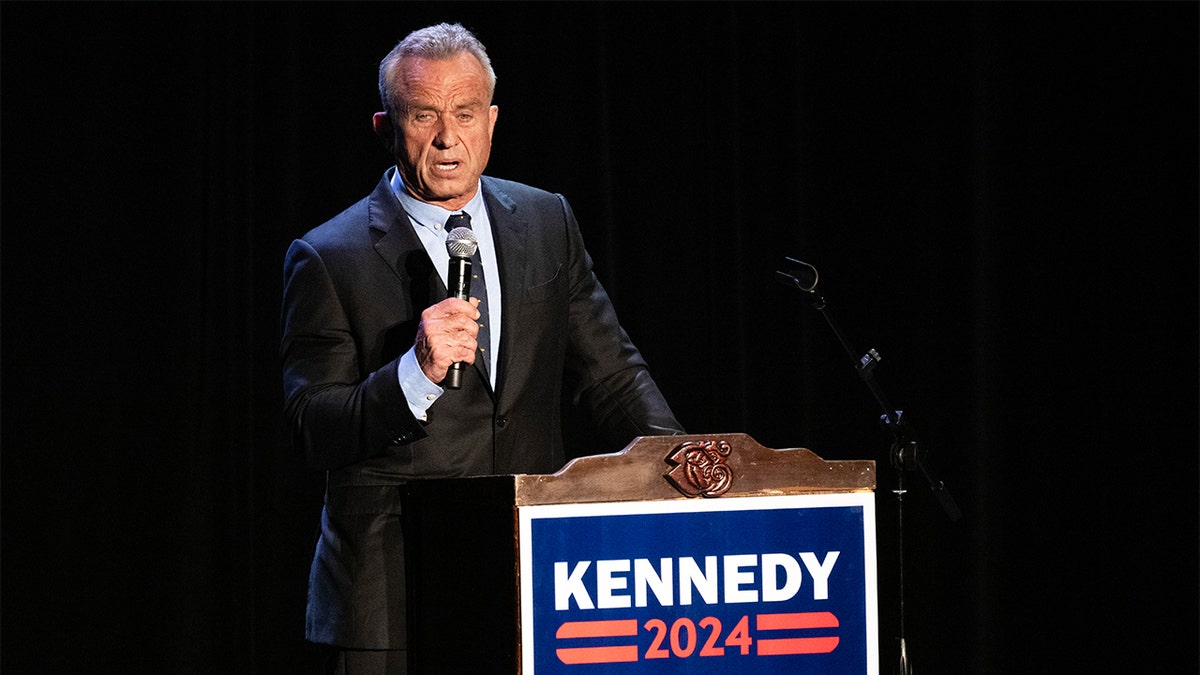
<point>355,290</point>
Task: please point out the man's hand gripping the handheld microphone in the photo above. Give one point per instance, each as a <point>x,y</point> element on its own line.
<point>447,336</point>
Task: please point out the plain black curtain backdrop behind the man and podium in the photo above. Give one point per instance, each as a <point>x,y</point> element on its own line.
<point>1001,199</point>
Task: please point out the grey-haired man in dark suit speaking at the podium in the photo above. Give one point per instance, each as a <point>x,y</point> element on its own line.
<point>369,334</point>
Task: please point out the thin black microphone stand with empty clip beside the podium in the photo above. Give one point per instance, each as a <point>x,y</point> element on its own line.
<point>905,453</point>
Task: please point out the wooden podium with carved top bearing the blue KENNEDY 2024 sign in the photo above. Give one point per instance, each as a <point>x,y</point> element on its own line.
<point>698,554</point>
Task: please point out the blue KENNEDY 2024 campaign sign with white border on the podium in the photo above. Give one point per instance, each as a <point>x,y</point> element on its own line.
<point>779,584</point>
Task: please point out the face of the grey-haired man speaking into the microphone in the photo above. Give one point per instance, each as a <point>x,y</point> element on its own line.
<point>443,136</point>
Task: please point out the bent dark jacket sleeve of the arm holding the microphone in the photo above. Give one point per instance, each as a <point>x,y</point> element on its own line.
<point>337,414</point>
